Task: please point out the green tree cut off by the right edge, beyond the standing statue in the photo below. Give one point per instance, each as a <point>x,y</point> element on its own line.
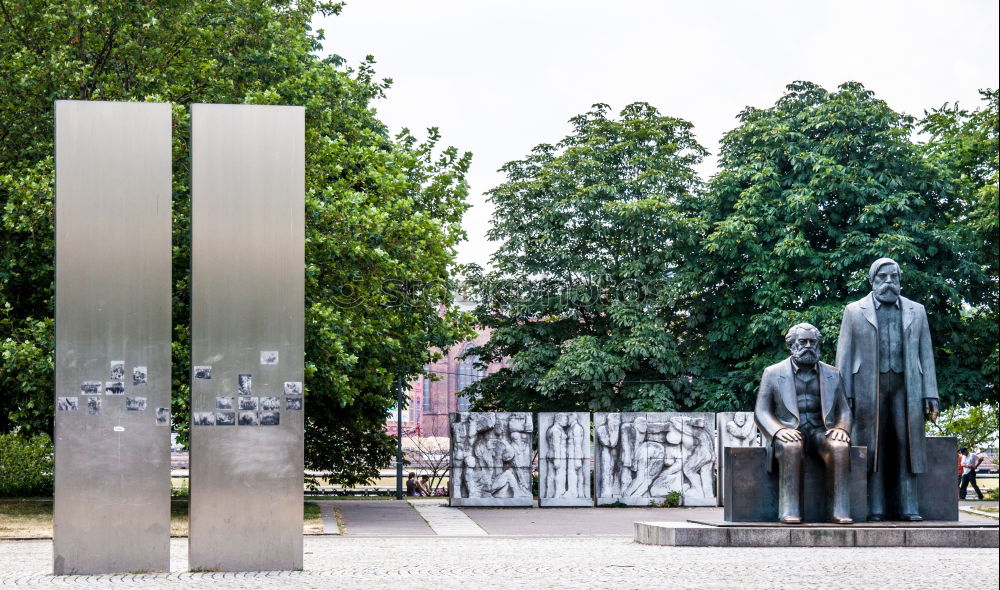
<point>965,144</point>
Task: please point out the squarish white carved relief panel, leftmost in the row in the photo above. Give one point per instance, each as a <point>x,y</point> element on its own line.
<point>491,459</point>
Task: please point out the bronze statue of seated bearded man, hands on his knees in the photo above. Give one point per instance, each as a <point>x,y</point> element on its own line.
<point>801,408</point>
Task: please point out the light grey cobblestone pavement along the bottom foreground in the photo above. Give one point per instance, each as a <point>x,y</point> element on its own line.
<point>444,563</point>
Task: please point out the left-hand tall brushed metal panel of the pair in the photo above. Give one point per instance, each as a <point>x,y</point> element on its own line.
<point>113,250</point>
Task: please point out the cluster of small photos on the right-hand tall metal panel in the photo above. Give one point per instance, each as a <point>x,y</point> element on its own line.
<point>243,407</point>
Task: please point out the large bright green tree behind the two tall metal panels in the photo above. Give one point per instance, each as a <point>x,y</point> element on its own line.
<point>382,214</point>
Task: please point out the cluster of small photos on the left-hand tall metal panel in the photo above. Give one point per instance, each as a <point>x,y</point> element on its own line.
<point>95,392</point>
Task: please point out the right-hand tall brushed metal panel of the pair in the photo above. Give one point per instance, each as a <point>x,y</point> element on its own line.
<point>247,297</point>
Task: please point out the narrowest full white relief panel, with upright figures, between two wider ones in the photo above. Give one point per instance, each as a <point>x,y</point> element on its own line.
<point>564,459</point>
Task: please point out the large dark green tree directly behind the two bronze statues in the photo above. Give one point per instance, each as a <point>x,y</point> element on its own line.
<point>810,192</point>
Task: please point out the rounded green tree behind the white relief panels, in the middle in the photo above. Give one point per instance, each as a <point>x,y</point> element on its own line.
<point>581,299</point>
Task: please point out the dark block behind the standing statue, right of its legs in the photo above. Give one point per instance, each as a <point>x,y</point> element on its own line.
<point>937,490</point>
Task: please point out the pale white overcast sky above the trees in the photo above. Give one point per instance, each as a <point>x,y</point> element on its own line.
<point>501,77</point>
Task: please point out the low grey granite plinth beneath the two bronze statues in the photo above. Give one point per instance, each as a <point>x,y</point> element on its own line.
<point>696,534</point>
